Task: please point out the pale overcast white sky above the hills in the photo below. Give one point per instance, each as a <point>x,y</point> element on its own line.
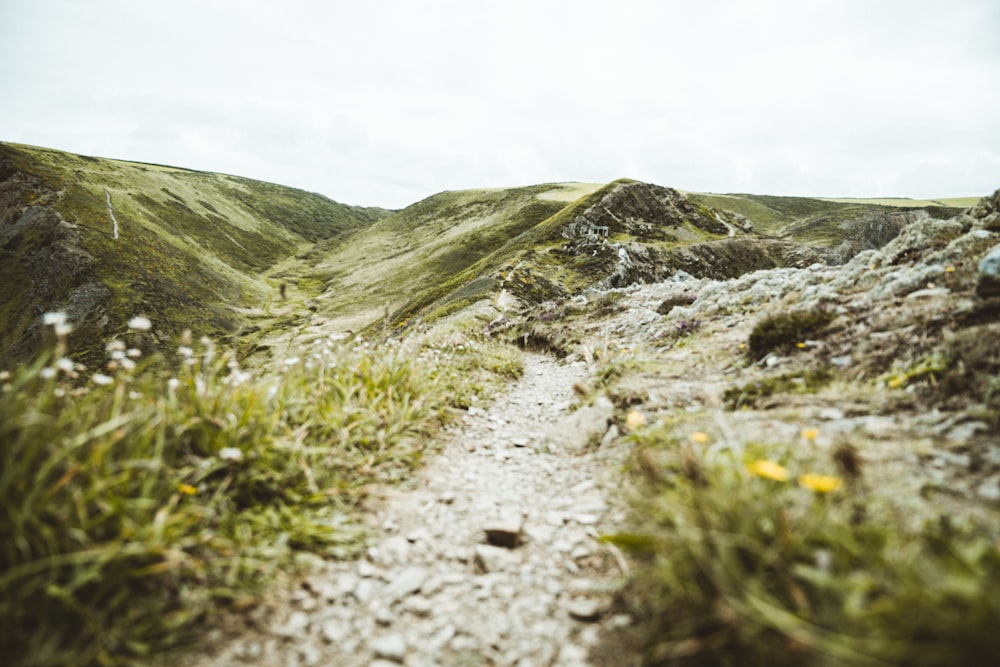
<point>386,102</point>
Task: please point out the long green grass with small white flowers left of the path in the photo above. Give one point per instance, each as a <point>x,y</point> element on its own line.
<point>138,500</point>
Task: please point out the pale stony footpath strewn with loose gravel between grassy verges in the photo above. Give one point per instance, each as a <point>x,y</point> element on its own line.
<point>433,589</point>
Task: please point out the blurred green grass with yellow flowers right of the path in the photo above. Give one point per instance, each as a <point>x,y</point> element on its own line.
<point>761,554</point>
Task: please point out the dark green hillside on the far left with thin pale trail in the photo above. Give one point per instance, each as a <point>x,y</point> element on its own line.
<point>193,250</point>
